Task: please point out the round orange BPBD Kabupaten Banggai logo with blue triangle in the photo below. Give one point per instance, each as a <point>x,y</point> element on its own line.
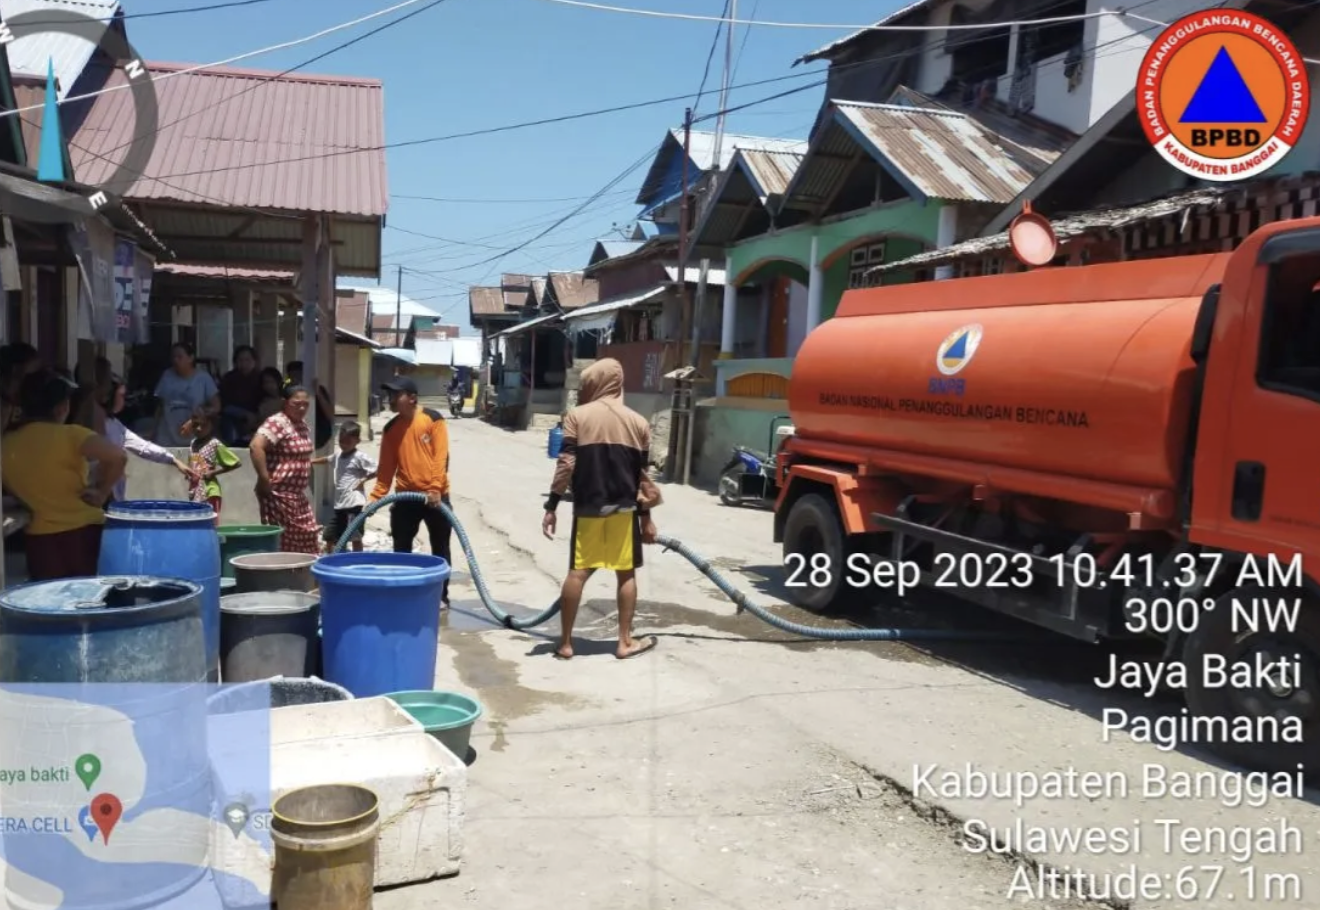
<point>1223,96</point>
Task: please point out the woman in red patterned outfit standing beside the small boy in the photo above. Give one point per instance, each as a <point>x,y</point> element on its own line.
<point>282,456</point>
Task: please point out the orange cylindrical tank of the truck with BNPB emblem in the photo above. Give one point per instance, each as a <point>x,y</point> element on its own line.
<point>1088,389</point>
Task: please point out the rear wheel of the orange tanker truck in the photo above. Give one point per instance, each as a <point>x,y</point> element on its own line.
<point>814,526</point>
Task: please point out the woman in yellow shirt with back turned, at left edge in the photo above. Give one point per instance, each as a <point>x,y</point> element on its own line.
<point>46,466</point>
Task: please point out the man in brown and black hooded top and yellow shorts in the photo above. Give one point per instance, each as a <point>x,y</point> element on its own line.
<point>604,462</point>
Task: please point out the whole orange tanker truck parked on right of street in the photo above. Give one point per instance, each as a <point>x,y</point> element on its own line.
<point>1105,451</point>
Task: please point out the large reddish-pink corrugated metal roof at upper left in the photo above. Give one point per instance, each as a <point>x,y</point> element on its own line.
<point>298,143</point>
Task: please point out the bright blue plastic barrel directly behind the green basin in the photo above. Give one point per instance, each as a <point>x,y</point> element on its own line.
<point>381,620</point>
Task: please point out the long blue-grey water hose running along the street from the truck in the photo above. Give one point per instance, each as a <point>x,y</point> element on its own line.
<point>703,566</point>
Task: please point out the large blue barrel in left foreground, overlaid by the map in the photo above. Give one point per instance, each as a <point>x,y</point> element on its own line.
<point>113,669</point>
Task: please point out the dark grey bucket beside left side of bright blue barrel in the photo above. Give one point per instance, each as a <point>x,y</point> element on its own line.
<point>266,635</point>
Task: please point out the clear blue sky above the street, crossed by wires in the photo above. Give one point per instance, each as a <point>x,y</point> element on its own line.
<point>478,64</point>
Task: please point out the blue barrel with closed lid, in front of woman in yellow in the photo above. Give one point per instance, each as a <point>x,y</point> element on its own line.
<point>168,538</point>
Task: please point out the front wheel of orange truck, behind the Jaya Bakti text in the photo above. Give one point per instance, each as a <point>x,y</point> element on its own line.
<point>1293,694</point>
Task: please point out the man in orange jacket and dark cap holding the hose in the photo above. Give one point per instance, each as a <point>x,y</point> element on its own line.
<point>415,459</point>
